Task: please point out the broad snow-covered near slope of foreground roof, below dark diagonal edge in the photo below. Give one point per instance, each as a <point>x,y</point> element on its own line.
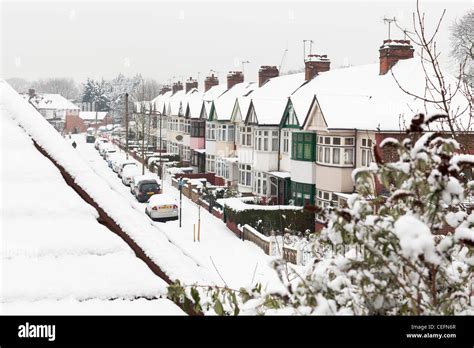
<point>55,256</point>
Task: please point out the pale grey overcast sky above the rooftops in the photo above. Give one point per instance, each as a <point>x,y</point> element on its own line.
<point>179,39</point>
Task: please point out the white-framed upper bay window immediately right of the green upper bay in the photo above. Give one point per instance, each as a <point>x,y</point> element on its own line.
<point>332,152</point>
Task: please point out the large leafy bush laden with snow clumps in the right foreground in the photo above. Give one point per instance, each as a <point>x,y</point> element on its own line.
<point>409,251</point>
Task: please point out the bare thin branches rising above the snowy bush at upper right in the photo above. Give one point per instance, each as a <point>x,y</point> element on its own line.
<point>439,90</point>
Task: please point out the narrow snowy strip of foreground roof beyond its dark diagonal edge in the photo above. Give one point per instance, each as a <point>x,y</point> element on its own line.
<point>166,255</point>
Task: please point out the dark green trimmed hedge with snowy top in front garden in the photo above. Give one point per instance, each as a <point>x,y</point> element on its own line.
<point>266,221</point>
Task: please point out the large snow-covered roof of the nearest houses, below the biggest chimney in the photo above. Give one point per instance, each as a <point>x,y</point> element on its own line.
<point>359,97</point>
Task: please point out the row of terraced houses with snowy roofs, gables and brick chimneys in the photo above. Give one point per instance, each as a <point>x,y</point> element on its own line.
<point>295,137</point>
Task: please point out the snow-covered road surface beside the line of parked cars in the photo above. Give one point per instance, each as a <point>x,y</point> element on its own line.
<point>219,250</point>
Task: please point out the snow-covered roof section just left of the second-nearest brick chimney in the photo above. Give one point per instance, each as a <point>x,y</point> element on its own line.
<point>269,100</point>
